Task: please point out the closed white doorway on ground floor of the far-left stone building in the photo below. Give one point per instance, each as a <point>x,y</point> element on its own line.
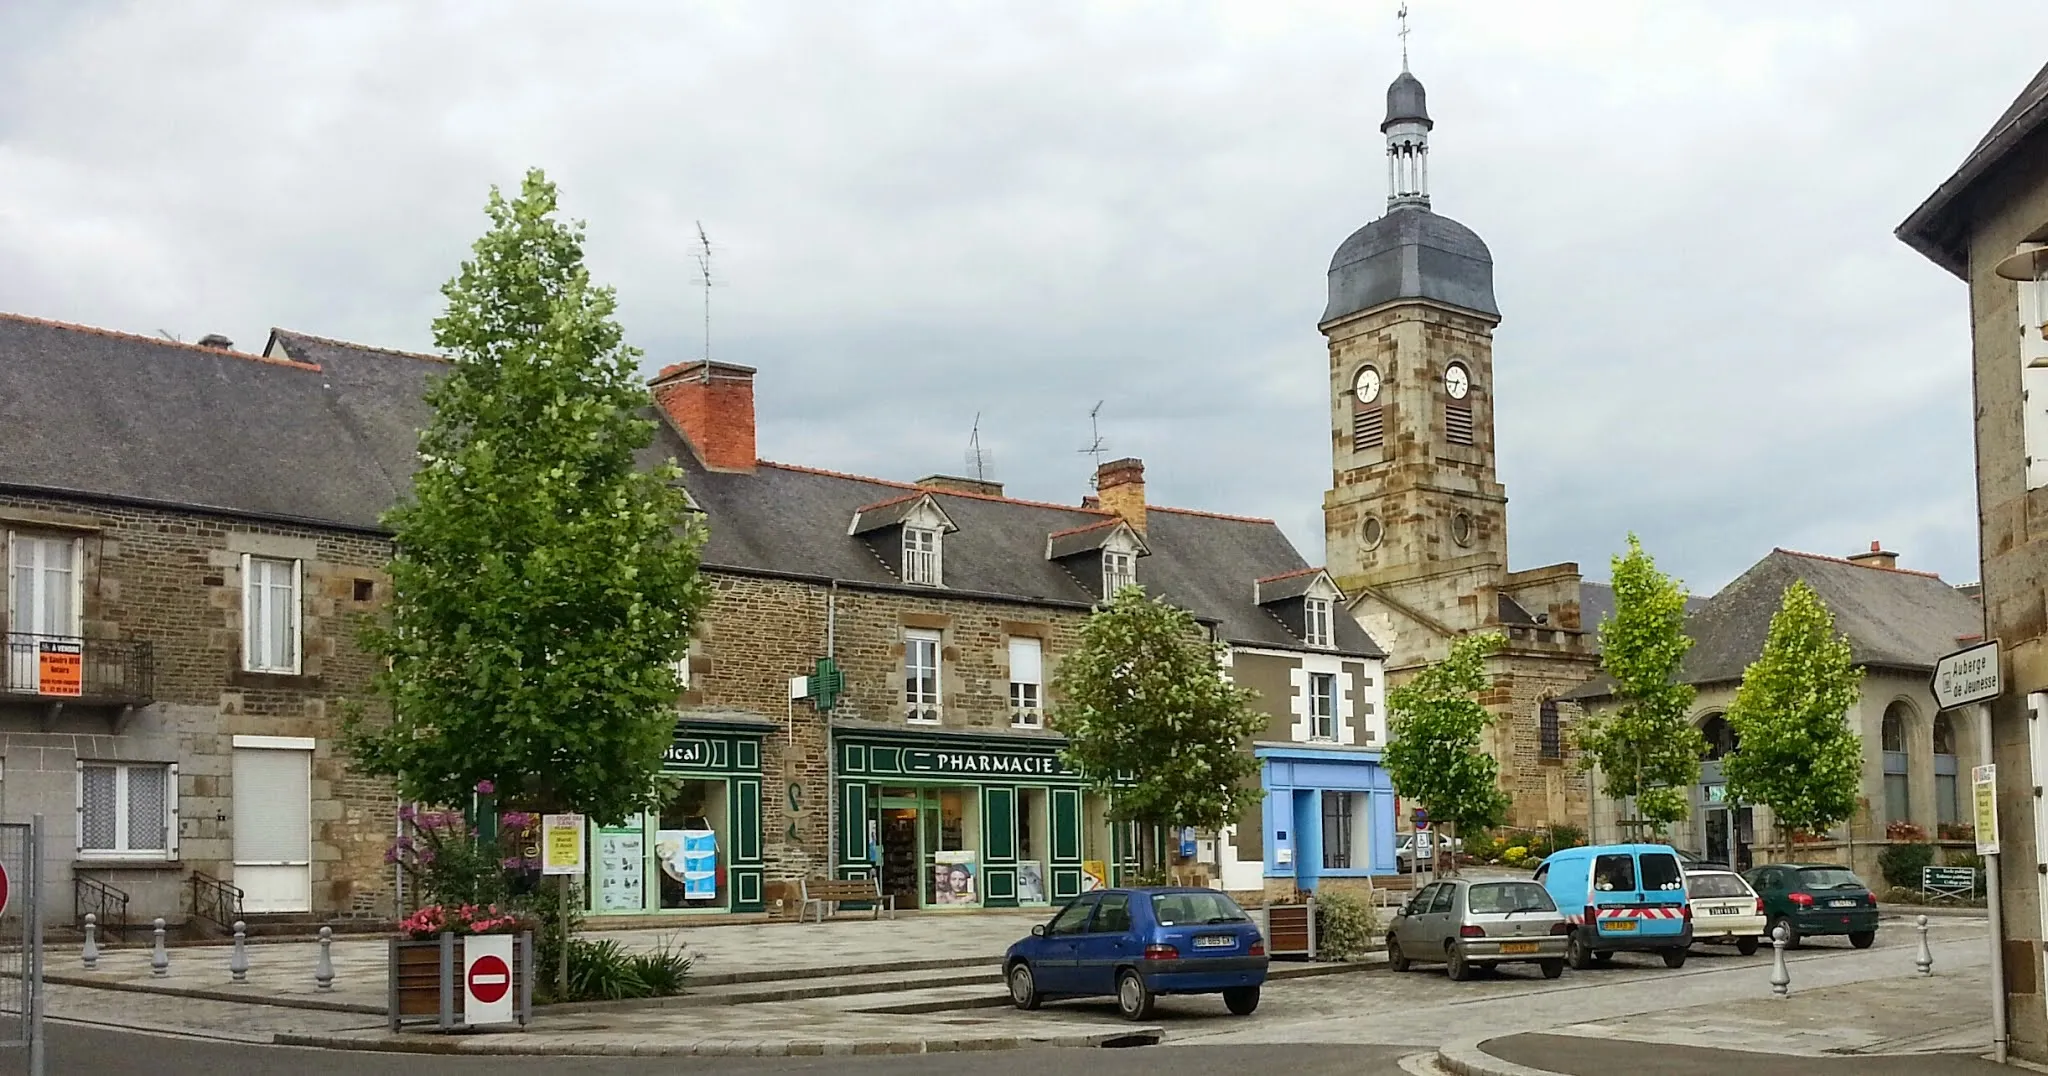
<point>273,800</point>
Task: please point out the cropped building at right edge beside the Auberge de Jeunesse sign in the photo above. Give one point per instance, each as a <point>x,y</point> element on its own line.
<point>1988,224</point>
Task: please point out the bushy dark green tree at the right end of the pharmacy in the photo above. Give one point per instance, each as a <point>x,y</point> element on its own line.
<point>1152,720</point>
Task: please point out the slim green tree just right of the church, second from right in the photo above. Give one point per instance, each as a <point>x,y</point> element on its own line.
<point>1648,749</point>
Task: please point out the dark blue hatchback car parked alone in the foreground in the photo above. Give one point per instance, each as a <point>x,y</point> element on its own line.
<point>1142,944</point>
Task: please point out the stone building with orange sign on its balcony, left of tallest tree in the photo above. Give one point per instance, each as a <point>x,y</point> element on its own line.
<point>194,544</point>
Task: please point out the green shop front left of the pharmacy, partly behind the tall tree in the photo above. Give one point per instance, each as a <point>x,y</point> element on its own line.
<point>701,852</point>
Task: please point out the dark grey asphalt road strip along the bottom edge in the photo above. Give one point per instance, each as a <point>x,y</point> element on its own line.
<point>95,1050</point>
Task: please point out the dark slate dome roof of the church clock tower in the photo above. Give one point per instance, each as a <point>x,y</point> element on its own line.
<point>1412,255</point>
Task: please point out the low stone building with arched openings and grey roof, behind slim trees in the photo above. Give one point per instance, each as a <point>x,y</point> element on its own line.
<point>1897,622</point>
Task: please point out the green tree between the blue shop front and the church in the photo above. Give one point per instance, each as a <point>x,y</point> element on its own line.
<point>1435,739</point>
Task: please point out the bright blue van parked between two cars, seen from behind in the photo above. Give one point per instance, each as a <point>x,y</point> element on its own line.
<point>1621,899</point>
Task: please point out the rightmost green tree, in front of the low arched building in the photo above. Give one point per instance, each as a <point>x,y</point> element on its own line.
<point>1795,753</point>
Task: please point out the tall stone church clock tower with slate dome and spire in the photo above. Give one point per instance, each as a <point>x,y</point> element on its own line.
<point>1416,520</point>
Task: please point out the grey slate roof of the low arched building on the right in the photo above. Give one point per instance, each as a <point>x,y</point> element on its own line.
<point>1893,618</point>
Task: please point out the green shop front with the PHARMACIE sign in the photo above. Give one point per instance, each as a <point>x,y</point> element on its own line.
<point>962,821</point>
